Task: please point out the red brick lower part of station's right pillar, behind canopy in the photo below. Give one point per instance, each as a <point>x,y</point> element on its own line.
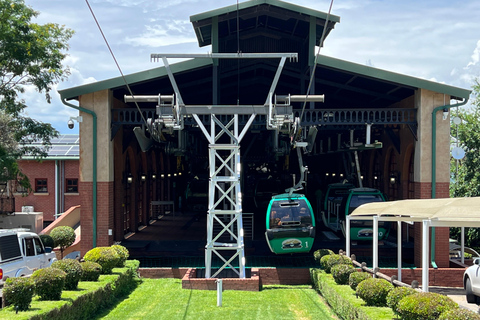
<point>424,191</point>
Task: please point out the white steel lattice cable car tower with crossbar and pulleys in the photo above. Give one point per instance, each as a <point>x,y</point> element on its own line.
<point>225,203</point>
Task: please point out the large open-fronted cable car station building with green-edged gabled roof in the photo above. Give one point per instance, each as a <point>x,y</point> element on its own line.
<point>138,151</point>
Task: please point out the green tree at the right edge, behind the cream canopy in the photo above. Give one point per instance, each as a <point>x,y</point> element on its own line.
<point>466,172</point>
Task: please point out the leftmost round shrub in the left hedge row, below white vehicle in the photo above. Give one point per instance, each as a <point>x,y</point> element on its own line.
<point>18,292</point>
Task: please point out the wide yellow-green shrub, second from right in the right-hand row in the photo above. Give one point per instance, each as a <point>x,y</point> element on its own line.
<point>424,306</point>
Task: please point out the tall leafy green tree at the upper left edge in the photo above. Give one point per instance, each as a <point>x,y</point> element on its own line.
<point>31,55</point>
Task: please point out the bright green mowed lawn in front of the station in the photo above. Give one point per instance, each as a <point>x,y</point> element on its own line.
<point>165,299</point>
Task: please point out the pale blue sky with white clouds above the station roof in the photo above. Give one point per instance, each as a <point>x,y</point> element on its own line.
<point>431,39</point>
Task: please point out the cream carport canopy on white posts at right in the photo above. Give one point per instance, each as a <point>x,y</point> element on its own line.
<point>448,212</point>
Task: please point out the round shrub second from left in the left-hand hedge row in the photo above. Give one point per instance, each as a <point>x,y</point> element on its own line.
<point>49,283</point>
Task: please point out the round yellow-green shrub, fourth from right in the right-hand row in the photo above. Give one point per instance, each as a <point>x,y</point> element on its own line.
<point>374,291</point>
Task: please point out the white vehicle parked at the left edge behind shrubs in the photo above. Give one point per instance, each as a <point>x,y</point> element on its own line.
<point>21,253</point>
